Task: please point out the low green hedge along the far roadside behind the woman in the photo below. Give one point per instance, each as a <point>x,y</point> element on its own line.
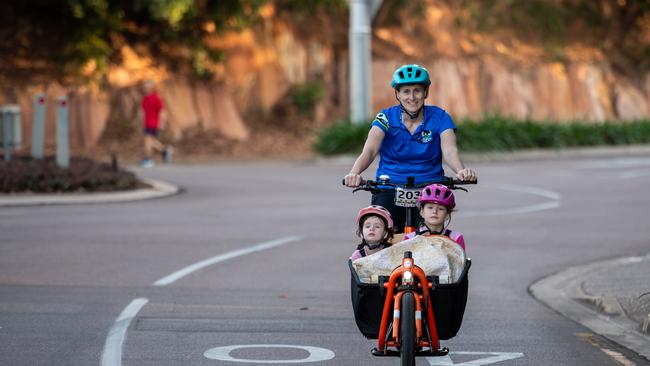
<point>496,133</point>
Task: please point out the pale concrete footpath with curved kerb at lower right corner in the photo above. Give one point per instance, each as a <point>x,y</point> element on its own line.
<point>611,297</point>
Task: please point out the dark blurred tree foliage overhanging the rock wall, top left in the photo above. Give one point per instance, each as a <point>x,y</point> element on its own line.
<point>59,36</point>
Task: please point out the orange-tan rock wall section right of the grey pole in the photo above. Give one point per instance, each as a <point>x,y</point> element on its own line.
<point>552,91</point>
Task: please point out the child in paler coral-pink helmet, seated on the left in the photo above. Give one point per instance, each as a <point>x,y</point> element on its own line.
<point>375,228</point>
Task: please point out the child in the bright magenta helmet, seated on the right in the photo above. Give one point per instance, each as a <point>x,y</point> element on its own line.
<point>436,204</point>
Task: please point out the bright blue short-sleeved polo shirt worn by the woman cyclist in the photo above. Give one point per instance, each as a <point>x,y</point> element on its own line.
<point>417,155</point>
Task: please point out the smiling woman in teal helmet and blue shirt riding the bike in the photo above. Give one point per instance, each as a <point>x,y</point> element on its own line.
<point>412,140</point>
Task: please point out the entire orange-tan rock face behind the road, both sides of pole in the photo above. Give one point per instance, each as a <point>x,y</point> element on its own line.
<point>263,63</point>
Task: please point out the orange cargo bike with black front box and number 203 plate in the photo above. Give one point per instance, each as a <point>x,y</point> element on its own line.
<point>408,312</point>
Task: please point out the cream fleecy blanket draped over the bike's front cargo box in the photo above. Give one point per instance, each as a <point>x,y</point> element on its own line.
<point>436,255</point>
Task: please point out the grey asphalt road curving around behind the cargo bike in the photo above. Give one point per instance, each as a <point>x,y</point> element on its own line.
<point>89,285</point>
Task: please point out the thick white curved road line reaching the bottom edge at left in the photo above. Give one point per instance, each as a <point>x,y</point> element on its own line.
<point>112,354</point>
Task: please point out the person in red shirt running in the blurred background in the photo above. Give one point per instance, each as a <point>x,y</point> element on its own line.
<point>152,106</point>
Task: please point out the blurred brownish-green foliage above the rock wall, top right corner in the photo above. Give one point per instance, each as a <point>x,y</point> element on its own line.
<point>621,28</point>
